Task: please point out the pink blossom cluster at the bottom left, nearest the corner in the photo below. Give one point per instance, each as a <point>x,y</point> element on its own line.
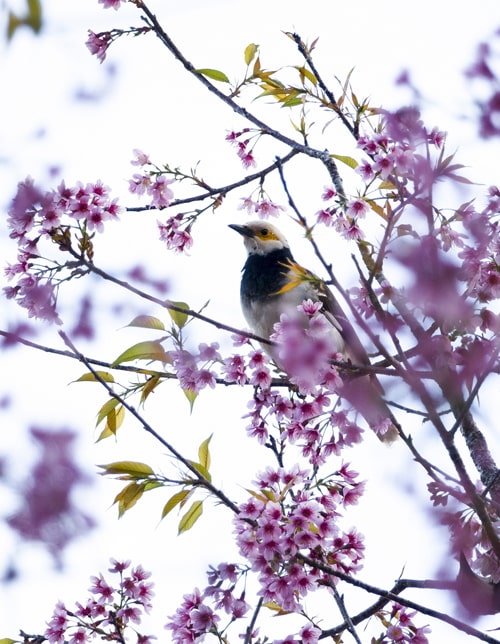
<point>109,612</point>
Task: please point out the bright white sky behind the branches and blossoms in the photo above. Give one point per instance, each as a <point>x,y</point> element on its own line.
<point>149,103</point>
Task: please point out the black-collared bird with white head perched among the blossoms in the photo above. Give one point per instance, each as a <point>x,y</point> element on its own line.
<point>273,284</point>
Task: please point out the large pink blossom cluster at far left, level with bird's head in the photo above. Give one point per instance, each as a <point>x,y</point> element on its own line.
<point>35,215</point>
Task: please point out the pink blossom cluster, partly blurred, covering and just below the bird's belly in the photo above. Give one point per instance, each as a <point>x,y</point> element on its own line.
<point>310,419</point>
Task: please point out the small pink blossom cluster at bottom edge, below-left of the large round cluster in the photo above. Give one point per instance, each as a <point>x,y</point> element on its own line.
<point>199,615</point>
